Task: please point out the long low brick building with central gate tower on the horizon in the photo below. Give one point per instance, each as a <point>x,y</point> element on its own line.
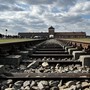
<point>52,34</point>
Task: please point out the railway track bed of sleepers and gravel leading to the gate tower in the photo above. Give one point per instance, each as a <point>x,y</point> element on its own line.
<point>46,62</point>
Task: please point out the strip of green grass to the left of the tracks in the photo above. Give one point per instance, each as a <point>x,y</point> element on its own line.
<point>14,40</point>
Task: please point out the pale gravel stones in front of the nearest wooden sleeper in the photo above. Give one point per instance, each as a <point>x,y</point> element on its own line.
<point>45,85</point>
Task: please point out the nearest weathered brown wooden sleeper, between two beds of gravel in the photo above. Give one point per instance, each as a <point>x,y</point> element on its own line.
<point>49,75</point>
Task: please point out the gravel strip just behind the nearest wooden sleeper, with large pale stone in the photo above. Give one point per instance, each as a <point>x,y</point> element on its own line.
<point>45,67</point>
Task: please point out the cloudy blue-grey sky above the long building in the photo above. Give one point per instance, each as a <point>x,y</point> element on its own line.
<point>37,15</point>
